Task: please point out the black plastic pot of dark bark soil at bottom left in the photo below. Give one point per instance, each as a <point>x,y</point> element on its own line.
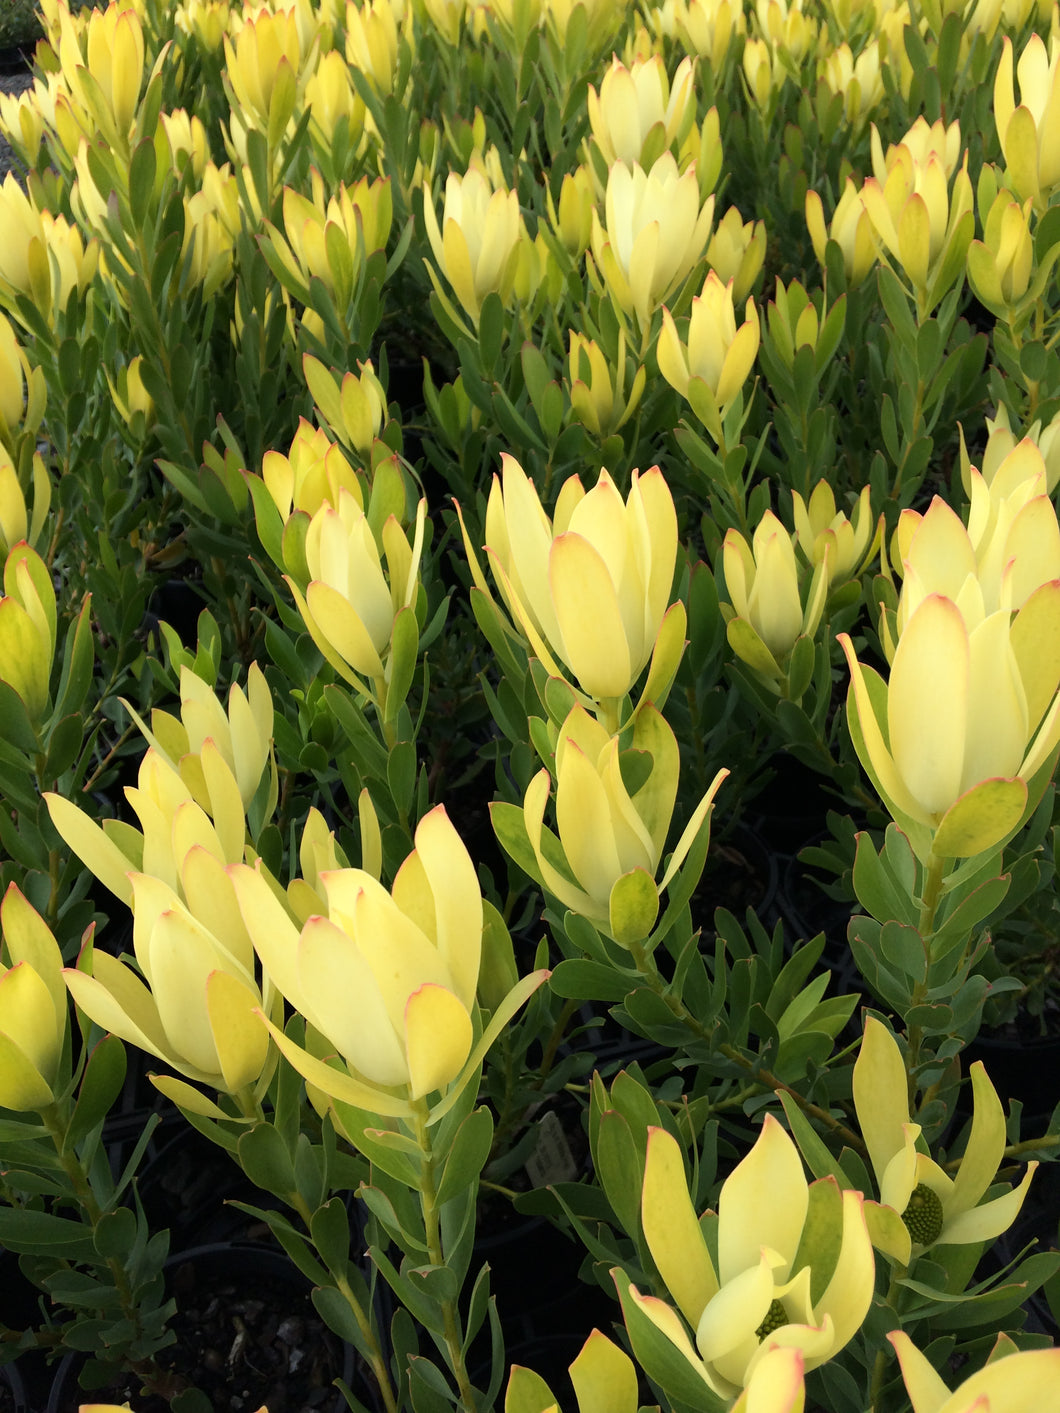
<point>248,1335</point>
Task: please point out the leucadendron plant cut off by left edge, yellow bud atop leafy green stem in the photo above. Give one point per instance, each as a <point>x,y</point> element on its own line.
<point>77,1229</point>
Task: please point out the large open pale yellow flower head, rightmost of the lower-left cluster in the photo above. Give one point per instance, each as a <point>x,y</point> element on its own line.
<point>388,979</point>
